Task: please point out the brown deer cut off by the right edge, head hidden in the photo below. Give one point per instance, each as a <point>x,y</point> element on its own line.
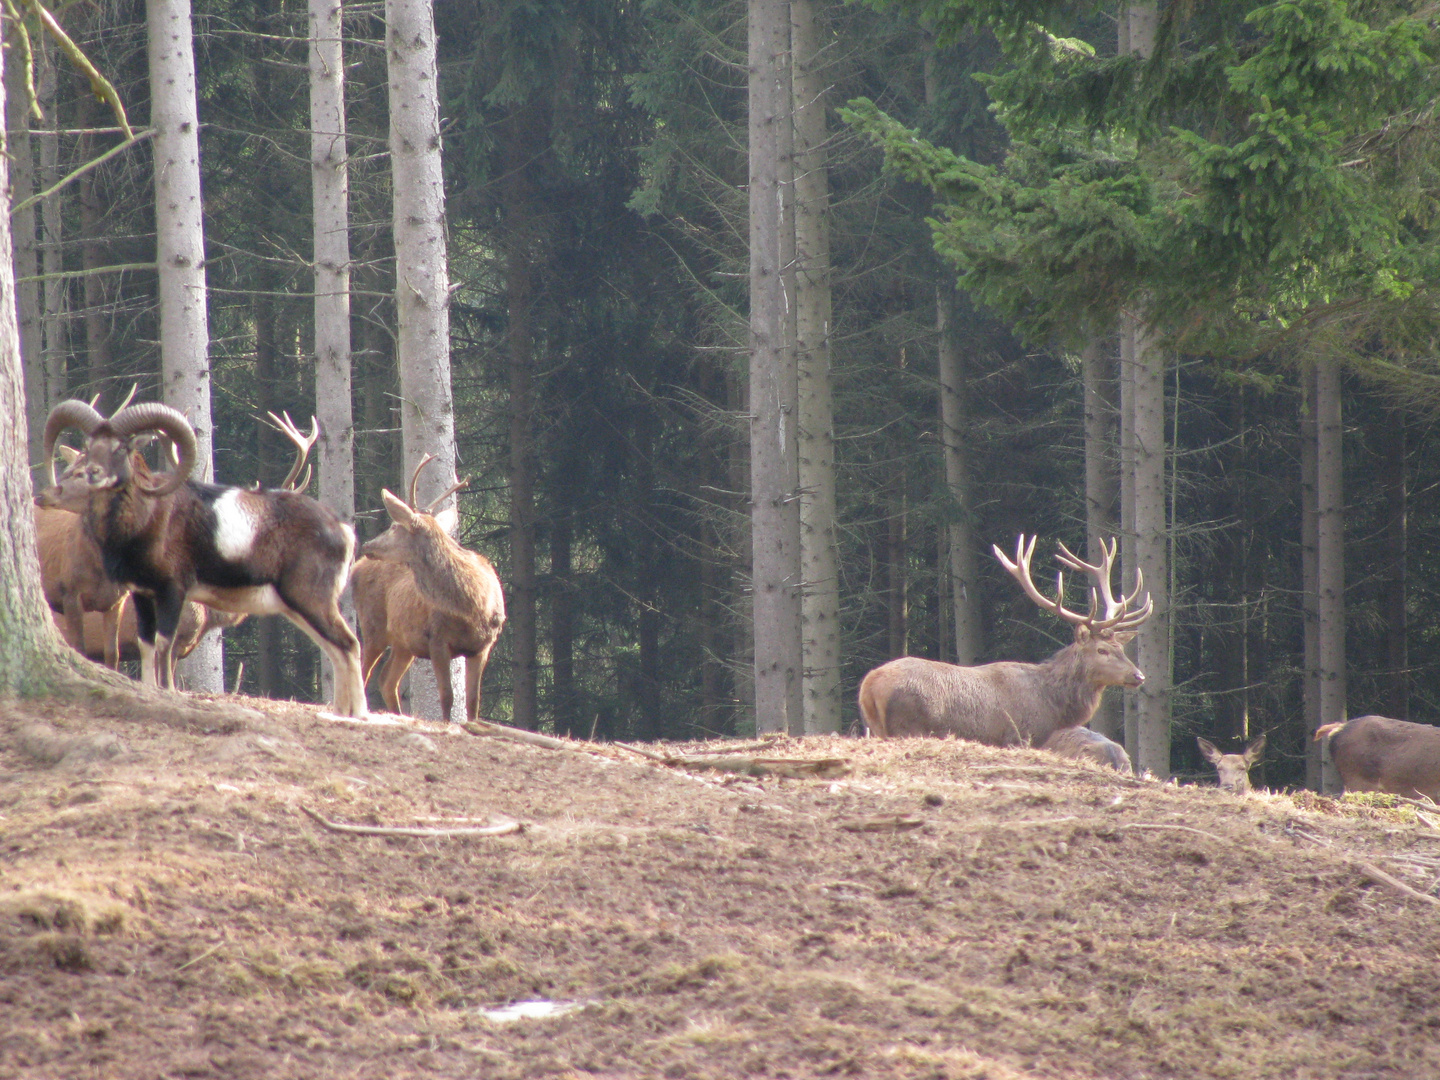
<point>1379,754</point>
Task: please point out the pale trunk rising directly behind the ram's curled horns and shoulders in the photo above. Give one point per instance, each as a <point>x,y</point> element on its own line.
<point>185,336</point>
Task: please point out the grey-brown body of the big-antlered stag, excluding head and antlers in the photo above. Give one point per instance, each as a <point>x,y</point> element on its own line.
<point>1000,705</point>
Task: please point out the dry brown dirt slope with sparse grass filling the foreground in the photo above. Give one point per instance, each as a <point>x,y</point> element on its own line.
<point>168,909</point>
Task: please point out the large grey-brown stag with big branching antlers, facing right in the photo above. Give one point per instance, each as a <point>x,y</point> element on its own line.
<point>1009,703</point>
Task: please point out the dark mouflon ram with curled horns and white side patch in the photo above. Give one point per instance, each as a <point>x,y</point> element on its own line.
<point>174,539</point>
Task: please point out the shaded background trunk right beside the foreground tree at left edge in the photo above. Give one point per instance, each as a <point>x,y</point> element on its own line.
<point>27,256</point>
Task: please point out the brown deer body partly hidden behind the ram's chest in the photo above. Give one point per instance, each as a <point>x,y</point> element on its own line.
<point>76,584</point>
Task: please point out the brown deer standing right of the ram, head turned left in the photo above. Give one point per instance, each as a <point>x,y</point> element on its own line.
<point>420,594</point>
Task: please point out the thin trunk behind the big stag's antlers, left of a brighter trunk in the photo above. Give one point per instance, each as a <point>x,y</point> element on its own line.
<point>1101,489</point>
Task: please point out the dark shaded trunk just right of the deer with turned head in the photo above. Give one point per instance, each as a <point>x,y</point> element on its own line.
<point>521,297</point>
